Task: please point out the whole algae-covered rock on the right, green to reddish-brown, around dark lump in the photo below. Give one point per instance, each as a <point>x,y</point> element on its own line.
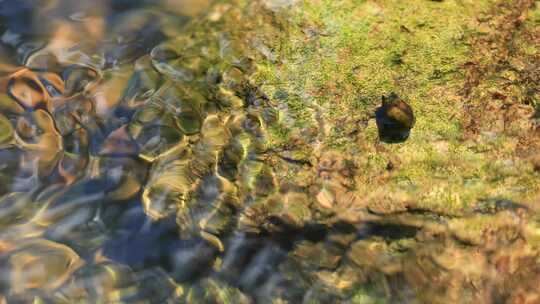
<point>336,60</point>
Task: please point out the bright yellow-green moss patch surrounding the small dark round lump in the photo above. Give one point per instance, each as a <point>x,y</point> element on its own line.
<point>342,56</point>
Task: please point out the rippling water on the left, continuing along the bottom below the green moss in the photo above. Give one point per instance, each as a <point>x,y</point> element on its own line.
<point>136,167</point>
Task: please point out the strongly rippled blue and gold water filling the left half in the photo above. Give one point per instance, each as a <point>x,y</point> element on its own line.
<point>129,148</point>
